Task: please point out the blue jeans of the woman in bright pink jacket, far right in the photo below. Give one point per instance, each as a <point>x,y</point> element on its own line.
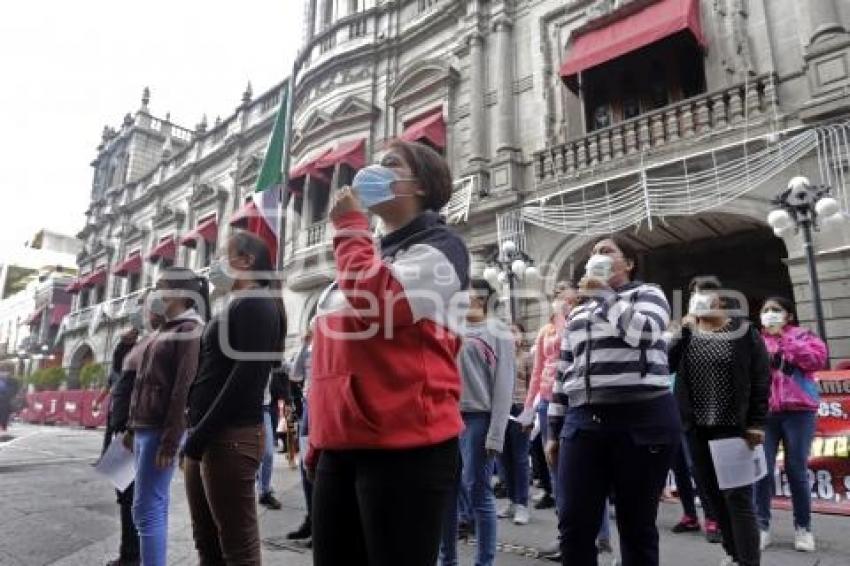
<point>796,430</point>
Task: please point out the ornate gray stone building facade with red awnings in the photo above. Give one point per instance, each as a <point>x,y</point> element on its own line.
<point>675,135</point>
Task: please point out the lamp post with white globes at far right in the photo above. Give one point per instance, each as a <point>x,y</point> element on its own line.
<point>800,207</point>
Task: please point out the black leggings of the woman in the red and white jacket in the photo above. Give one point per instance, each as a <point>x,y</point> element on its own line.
<point>382,507</point>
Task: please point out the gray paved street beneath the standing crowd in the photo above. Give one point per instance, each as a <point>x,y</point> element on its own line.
<point>54,510</point>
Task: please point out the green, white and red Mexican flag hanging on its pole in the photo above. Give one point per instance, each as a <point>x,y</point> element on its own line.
<point>263,214</point>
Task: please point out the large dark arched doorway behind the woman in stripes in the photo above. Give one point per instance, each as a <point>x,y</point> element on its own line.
<point>741,251</point>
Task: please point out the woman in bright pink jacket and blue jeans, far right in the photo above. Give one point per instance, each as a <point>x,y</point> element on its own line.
<point>795,353</point>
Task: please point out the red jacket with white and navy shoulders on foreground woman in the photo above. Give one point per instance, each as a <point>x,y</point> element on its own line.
<point>386,338</point>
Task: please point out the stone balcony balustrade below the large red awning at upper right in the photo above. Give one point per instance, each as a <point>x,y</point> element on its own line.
<point>689,119</point>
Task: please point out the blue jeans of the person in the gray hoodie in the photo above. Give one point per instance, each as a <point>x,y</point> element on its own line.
<point>475,478</point>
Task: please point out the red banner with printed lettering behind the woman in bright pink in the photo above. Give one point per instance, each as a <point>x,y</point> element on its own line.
<point>829,464</point>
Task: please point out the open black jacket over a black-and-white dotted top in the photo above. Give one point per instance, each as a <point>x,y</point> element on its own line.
<point>752,377</point>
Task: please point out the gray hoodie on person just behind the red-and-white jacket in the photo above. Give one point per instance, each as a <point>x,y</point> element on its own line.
<point>488,369</point>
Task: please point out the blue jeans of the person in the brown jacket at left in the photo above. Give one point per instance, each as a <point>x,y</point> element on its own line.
<point>152,497</point>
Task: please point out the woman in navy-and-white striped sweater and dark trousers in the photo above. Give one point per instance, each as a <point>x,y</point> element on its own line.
<point>622,427</point>
